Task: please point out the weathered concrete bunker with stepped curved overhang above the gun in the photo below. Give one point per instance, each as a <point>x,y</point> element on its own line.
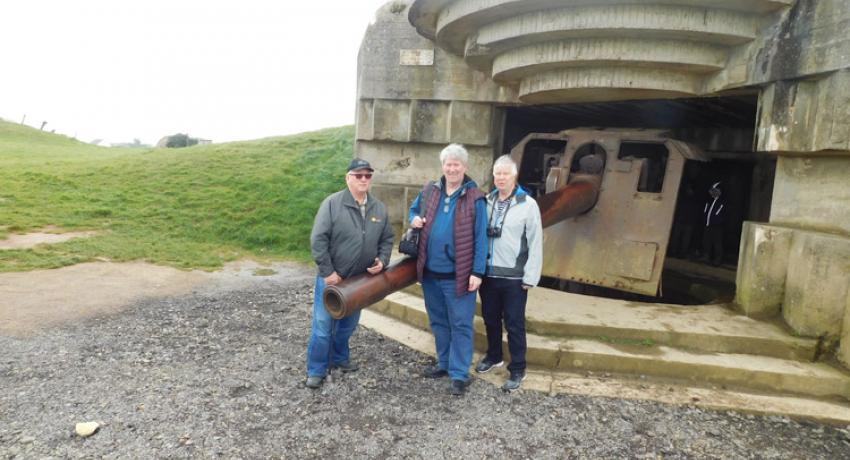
<point>760,87</point>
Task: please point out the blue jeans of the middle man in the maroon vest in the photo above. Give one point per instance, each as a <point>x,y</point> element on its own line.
<point>451,322</point>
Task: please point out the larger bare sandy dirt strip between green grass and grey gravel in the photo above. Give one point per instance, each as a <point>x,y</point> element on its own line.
<point>34,300</point>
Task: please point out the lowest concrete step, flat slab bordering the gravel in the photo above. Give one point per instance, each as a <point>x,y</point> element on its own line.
<point>553,382</point>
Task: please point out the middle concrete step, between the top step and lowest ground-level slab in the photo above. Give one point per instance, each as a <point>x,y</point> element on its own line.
<point>730,370</point>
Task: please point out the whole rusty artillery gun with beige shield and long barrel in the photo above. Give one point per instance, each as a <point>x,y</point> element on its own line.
<point>607,199</point>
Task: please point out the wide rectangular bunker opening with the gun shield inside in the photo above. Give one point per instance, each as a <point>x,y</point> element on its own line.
<point>676,180</point>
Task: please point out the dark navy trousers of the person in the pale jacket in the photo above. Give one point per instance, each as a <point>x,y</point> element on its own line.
<point>504,300</point>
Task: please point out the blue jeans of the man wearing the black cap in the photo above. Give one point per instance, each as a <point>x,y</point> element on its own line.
<point>329,338</point>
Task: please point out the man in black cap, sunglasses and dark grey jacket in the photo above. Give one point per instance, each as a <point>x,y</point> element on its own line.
<point>351,235</point>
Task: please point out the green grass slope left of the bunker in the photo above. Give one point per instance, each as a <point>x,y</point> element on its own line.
<point>197,207</point>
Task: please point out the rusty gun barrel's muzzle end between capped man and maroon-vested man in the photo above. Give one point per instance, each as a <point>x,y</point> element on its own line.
<point>358,292</point>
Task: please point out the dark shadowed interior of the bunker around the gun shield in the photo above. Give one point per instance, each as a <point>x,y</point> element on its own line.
<point>700,262</point>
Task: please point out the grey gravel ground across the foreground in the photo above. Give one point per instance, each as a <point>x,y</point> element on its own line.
<point>220,374</point>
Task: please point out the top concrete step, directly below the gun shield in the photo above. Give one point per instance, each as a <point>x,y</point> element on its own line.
<point>700,328</point>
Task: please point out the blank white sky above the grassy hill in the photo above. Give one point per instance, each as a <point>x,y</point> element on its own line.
<point>221,70</point>
